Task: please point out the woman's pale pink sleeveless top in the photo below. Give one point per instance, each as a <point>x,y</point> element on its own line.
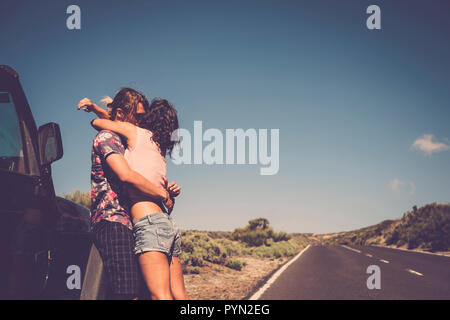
<point>146,159</point>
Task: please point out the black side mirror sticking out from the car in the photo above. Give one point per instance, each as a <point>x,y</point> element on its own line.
<point>50,143</point>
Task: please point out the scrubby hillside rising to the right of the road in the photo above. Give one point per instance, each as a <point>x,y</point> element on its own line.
<point>426,228</point>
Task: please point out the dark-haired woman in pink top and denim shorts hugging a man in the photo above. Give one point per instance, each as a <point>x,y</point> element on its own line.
<point>149,138</point>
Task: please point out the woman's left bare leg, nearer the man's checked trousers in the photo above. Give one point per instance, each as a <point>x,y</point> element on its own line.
<point>155,270</point>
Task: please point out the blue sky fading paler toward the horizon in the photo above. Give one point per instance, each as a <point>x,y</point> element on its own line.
<point>349,102</point>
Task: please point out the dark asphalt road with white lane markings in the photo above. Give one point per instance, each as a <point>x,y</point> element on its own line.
<point>340,272</point>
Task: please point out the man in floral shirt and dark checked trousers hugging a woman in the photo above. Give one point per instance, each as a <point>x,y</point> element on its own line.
<point>111,222</point>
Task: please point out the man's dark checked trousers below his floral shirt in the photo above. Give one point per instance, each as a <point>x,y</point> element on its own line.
<point>115,242</point>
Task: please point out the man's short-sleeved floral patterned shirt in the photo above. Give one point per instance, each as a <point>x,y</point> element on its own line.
<point>108,197</point>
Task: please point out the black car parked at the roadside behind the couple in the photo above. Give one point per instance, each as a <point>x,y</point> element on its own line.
<point>45,241</point>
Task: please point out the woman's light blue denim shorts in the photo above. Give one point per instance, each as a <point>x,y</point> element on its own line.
<point>157,232</point>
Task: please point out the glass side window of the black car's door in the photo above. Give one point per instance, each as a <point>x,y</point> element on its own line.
<point>11,147</point>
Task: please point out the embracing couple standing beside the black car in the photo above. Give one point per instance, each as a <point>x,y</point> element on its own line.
<point>131,197</point>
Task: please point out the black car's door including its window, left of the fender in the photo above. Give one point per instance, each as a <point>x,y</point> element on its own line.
<point>26,206</point>
